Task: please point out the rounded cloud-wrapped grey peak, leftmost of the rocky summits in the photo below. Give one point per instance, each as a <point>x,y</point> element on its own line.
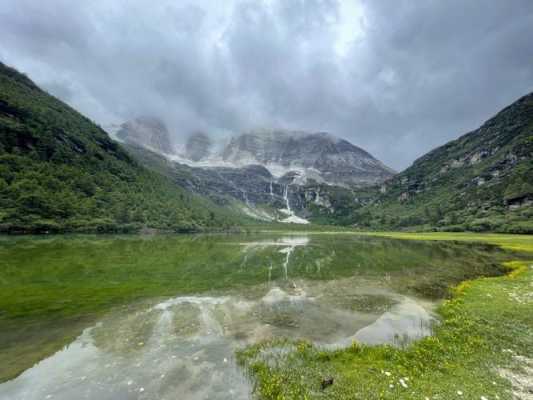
<point>148,132</point>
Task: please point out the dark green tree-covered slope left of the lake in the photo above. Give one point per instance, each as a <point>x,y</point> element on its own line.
<point>61,172</point>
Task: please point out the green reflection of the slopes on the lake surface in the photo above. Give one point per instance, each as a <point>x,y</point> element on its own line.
<point>51,287</point>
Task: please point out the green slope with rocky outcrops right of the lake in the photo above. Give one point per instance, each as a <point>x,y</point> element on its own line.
<point>482,181</point>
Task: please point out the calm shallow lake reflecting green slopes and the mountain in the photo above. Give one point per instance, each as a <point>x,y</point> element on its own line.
<point>160,317</point>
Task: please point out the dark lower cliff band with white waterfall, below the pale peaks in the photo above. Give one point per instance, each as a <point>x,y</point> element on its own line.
<point>256,192</point>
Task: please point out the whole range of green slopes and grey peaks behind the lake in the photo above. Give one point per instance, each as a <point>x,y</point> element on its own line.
<point>60,172</point>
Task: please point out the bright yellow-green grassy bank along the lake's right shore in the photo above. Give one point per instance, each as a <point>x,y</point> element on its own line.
<point>483,348</point>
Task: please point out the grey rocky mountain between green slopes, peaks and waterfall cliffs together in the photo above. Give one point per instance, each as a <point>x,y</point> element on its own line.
<point>274,174</point>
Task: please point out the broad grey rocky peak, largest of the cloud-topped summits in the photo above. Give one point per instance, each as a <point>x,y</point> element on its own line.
<point>317,156</point>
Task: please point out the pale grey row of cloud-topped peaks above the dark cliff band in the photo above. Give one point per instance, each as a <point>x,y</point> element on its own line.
<point>318,156</point>
